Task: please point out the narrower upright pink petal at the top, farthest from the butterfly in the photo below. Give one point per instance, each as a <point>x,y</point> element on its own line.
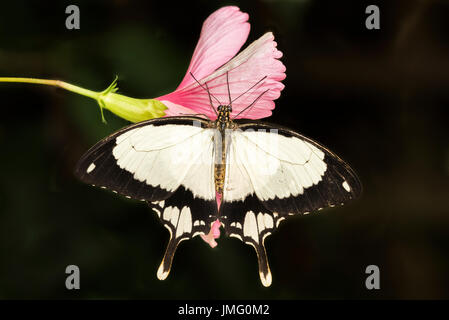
<point>223,34</point>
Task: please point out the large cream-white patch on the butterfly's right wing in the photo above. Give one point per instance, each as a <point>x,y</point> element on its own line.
<point>270,165</point>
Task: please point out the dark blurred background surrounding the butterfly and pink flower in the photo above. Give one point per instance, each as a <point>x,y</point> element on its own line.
<point>378,98</point>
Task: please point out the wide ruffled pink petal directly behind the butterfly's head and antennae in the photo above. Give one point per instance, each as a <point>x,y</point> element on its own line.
<point>257,61</point>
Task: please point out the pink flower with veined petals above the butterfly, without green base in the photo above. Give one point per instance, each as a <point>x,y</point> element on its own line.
<point>223,34</point>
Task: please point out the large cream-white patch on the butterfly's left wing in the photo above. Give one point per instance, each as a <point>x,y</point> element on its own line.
<point>169,156</point>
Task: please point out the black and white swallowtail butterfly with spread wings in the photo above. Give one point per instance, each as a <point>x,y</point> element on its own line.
<point>191,171</point>
